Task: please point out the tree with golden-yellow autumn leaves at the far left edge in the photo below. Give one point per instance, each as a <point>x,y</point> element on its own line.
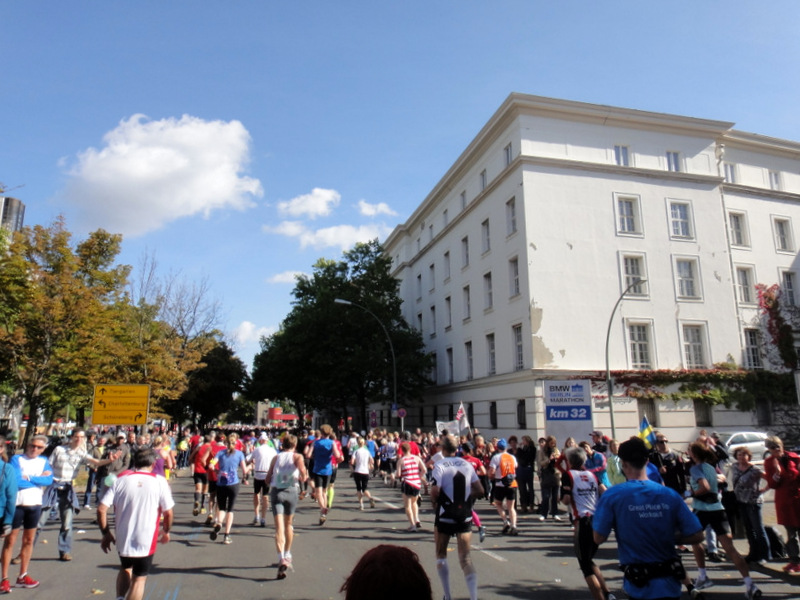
<point>57,307</point>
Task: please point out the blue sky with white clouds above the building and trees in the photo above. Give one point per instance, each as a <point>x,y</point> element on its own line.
<point>242,141</point>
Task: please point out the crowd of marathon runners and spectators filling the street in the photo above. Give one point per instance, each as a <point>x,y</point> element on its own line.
<point>596,482</point>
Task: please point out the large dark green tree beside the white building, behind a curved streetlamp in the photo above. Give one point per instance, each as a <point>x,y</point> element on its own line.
<point>334,357</point>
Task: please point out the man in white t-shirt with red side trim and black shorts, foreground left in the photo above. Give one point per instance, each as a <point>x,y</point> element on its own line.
<point>139,498</point>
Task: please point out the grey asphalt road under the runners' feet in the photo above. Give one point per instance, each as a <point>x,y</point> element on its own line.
<point>539,563</point>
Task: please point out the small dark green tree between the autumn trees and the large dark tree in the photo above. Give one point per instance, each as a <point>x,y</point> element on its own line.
<point>211,388</point>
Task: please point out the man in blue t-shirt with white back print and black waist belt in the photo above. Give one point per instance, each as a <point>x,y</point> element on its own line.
<point>646,517</point>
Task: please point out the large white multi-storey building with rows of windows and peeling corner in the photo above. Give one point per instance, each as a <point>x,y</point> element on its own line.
<point>512,265</point>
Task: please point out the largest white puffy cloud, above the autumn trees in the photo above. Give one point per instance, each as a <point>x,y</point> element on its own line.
<point>149,173</point>
